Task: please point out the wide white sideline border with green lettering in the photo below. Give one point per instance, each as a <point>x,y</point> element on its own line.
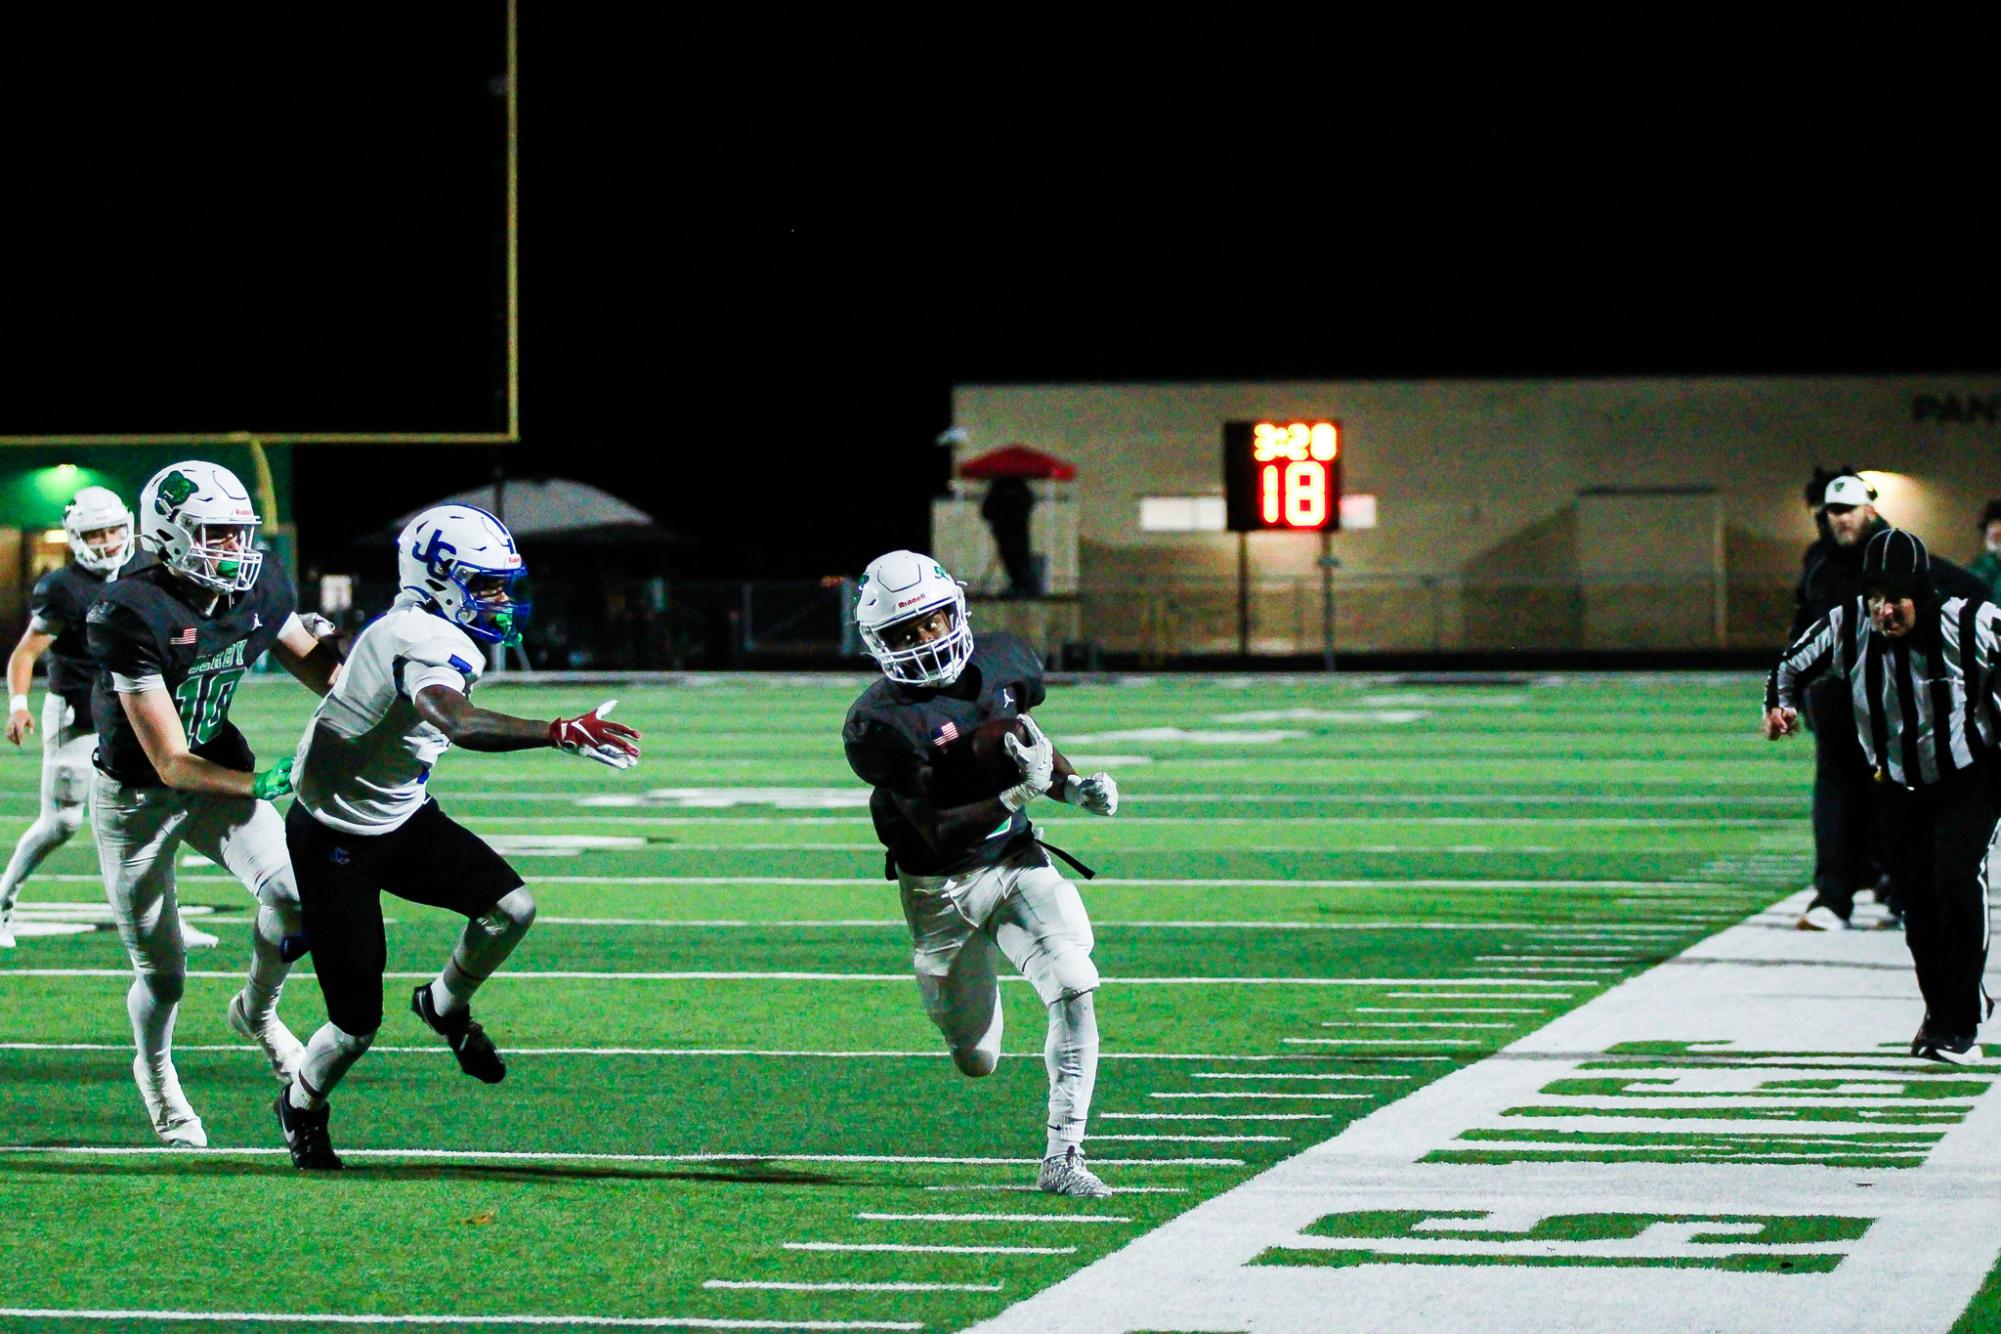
<point>1734,1045</point>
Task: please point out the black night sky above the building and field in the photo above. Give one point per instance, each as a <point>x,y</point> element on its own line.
<point>755,257</point>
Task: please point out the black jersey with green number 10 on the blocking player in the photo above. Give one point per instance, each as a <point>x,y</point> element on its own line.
<point>147,627</point>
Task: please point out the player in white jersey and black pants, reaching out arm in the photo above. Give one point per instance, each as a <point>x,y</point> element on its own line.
<point>363,821</point>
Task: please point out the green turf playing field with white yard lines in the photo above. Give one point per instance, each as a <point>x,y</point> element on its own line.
<point>725,1103</point>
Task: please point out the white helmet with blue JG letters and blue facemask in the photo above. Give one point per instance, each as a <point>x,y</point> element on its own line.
<point>463,563</point>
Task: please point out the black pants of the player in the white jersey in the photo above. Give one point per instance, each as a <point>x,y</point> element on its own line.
<point>429,859</point>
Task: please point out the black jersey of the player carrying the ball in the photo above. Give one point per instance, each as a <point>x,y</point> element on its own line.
<point>897,733</point>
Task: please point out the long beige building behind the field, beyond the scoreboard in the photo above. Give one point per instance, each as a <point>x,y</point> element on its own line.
<point>1484,517</point>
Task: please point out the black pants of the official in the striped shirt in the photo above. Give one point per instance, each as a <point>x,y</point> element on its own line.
<point>1938,849</point>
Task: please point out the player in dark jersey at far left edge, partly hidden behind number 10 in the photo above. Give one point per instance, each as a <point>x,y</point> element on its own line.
<point>103,549</point>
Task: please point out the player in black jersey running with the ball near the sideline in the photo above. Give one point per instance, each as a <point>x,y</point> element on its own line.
<point>971,871</point>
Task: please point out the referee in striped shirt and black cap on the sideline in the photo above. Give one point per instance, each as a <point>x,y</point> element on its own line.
<point>1924,687</point>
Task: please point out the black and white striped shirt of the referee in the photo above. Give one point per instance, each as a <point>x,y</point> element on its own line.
<point>1926,705</point>
